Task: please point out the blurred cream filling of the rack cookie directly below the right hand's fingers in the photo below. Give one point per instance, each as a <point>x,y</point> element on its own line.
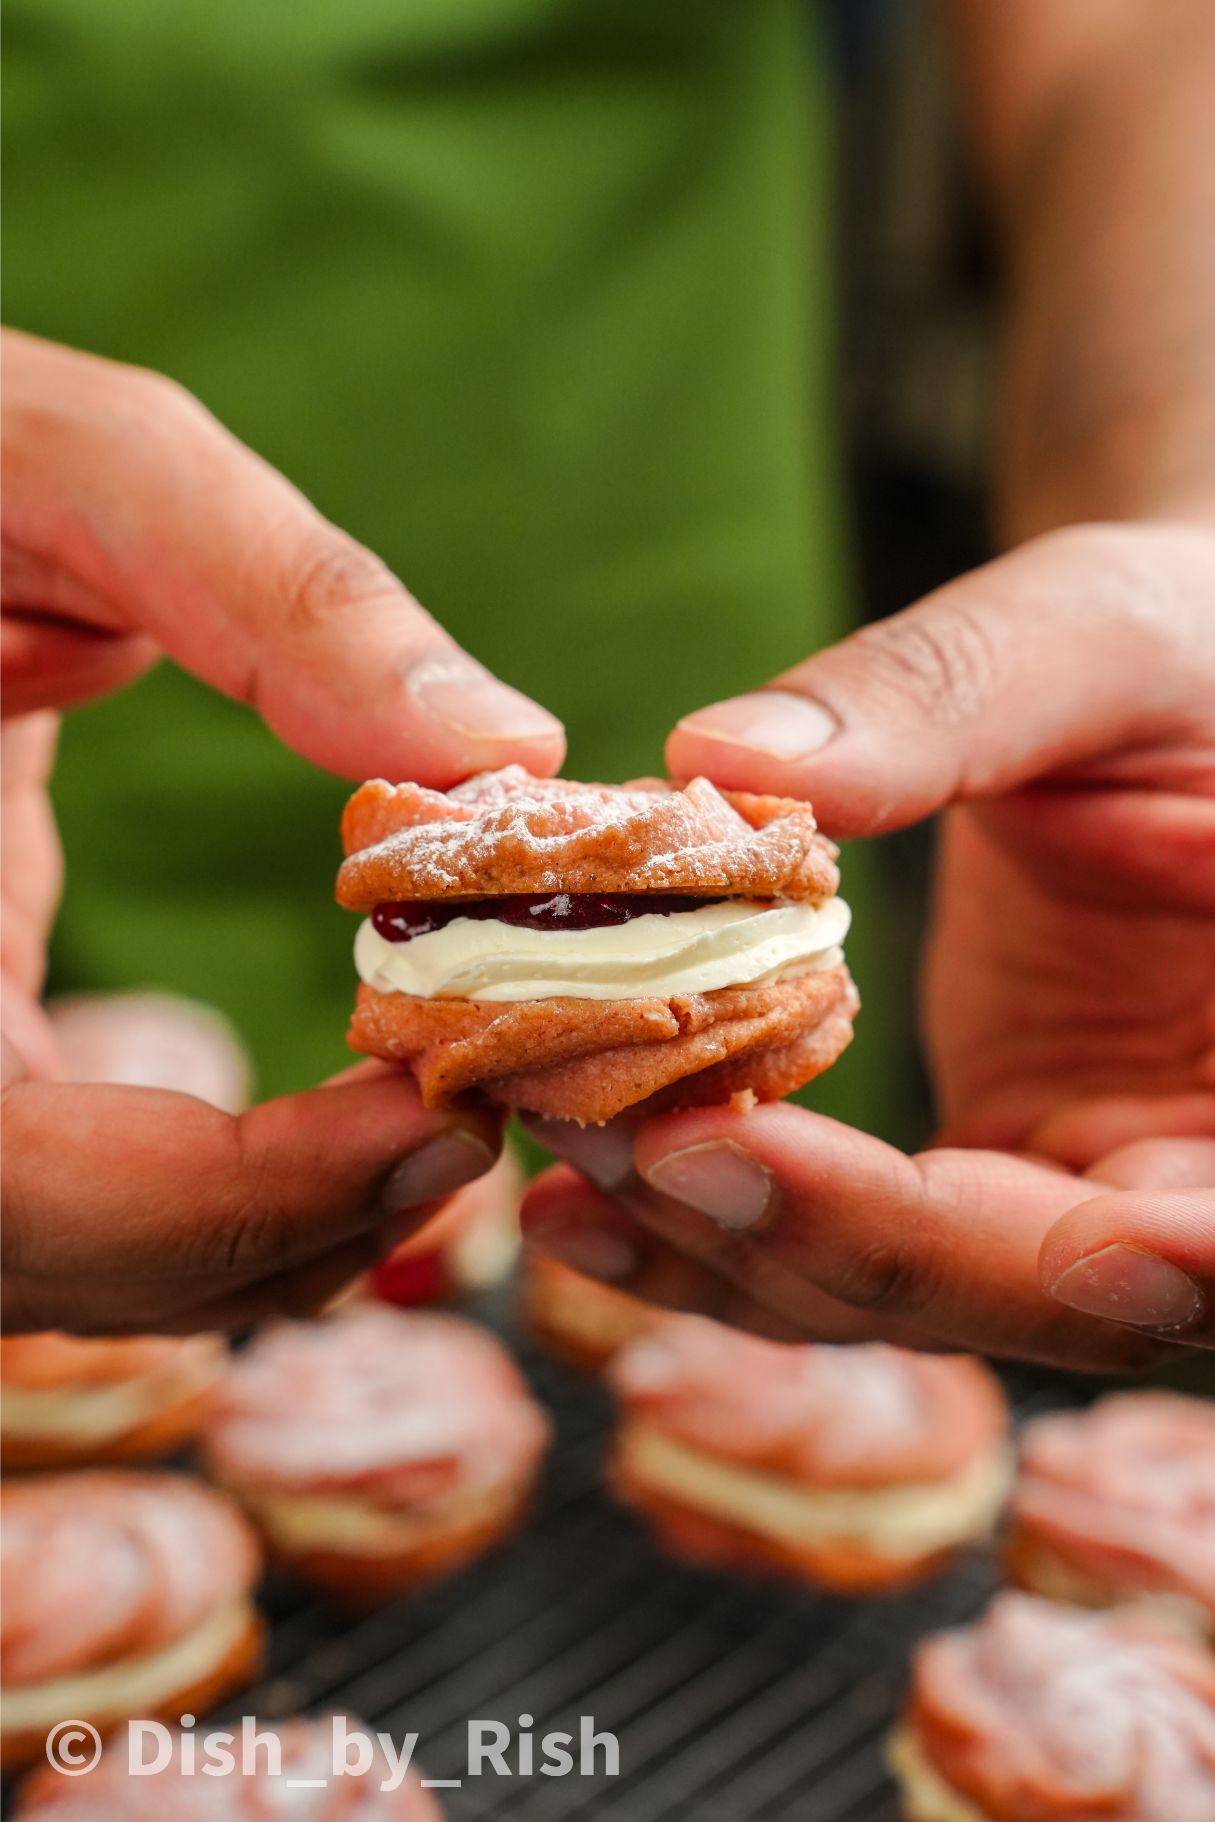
<point>901,1522</point>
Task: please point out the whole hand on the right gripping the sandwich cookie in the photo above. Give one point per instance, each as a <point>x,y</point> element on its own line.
<point>1061,708</point>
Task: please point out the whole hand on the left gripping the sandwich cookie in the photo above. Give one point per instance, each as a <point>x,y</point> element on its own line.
<point>136,526</point>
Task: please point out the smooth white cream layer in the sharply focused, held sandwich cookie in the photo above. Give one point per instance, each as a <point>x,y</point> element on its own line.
<point>731,945</point>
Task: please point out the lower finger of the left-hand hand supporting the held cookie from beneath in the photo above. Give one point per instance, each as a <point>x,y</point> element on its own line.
<point>168,1213</point>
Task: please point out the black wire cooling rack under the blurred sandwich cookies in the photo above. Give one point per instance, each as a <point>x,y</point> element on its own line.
<point>731,1701</point>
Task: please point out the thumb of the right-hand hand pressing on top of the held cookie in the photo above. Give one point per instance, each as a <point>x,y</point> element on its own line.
<point>1076,646</point>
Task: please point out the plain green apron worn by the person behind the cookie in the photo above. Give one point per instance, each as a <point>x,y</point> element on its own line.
<point>531,296</point>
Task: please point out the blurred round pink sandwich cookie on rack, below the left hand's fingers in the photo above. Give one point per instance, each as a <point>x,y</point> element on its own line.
<point>380,1448</point>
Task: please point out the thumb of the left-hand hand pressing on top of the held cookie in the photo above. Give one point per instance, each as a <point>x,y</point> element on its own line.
<point>130,509</point>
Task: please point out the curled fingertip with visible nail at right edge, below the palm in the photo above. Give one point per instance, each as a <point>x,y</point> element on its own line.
<point>1145,1260</point>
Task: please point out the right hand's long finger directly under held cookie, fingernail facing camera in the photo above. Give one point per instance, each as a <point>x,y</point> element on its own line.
<point>948,1240</point>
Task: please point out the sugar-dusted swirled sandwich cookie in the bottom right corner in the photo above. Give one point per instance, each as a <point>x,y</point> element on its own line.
<point>1043,1714</point>
